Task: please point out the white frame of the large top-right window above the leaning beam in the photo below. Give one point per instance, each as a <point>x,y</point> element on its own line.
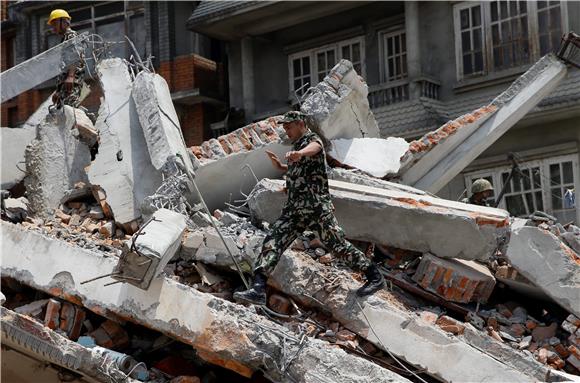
<point>488,68</point>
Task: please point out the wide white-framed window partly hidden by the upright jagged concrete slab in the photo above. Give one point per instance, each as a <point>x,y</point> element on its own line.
<point>311,66</point>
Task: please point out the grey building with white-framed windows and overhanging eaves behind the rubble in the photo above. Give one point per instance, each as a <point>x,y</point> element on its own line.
<point>425,63</point>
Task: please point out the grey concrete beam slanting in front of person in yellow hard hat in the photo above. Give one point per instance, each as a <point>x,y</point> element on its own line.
<point>43,67</point>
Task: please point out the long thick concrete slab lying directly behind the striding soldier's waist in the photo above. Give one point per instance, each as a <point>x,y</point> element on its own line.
<point>403,220</point>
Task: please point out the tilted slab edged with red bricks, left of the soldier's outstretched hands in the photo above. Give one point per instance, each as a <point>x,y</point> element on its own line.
<point>232,164</point>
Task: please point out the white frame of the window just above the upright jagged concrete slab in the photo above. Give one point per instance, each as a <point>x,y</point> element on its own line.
<point>311,53</point>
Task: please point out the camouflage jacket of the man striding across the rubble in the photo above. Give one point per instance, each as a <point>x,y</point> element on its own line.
<point>307,180</point>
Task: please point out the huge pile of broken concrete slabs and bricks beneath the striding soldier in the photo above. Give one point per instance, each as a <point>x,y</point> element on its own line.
<point>113,255</point>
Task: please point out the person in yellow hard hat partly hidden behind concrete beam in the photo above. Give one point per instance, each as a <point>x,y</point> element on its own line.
<point>69,83</point>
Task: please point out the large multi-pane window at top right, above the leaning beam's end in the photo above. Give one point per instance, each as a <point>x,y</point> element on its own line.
<point>496,35</point>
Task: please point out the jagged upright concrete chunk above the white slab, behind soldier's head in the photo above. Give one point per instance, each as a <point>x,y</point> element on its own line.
<point>338,106</point>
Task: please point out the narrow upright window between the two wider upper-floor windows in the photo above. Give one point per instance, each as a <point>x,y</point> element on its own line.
<point>394,52</point>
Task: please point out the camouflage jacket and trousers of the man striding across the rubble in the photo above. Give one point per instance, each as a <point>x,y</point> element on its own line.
<point>308,207</point>
